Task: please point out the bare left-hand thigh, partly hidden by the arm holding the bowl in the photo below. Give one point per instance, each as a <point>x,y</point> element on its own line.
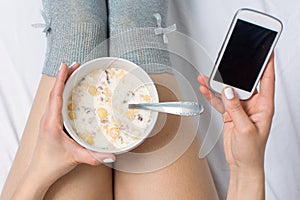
<point>84,182</point>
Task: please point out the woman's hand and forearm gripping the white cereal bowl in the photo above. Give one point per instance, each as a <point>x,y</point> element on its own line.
<point>55,153</point>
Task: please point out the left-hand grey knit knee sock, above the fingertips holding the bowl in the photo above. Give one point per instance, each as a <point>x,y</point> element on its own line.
<point>75,31</point>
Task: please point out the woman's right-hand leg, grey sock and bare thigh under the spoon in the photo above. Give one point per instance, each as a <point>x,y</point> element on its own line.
<point>165,166</point>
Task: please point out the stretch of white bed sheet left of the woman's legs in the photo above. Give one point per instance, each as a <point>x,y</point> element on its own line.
<point>22,54</point>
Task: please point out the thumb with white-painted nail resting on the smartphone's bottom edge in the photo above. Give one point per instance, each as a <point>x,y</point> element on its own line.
<point>235,110</point>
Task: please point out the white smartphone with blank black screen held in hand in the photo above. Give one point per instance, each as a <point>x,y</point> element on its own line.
<point>245,52</point>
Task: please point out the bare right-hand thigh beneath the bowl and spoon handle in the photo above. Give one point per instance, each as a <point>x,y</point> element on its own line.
<point>165,166</point>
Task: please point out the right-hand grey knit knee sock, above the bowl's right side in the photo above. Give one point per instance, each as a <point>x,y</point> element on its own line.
<point>132,33</point>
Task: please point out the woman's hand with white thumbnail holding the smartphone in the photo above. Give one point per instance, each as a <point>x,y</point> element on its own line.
<point>246,125</point>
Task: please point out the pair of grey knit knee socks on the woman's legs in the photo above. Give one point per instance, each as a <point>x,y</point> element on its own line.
<point>81,30</point>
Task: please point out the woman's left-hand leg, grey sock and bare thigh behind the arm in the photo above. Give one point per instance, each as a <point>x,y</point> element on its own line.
<point>76,31</point>
